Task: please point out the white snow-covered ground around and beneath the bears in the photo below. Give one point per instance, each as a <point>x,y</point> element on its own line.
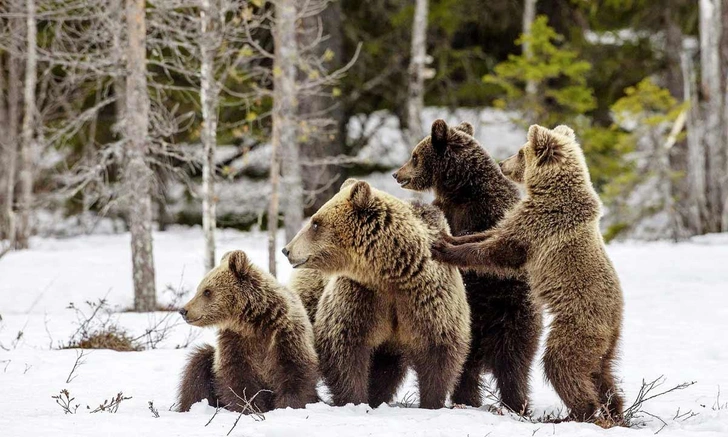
<point>676,325</point>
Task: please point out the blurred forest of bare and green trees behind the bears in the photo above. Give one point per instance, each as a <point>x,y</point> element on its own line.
<point>643,83</point>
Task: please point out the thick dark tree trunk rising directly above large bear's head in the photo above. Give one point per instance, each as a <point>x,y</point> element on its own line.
<point>324,114</point>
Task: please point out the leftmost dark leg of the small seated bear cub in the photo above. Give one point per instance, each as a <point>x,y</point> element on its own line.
<point>198,380</point>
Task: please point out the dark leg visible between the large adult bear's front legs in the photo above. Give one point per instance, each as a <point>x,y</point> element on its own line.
<point>386,373</point>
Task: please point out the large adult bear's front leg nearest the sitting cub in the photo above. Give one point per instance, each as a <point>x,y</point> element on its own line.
<point>345,320</point>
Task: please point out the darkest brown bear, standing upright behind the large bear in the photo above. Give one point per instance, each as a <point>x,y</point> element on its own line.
<point>474,194</point>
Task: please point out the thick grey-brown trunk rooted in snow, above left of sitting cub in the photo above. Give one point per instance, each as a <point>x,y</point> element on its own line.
<point>137,174</point>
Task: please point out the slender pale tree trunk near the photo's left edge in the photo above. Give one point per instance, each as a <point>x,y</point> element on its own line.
<point>27,145</point>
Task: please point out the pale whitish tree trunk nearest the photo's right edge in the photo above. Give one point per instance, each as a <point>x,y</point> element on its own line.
<point>710,82</point>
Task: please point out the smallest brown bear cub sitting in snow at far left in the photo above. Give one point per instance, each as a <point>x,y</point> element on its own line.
<point>265,352</point>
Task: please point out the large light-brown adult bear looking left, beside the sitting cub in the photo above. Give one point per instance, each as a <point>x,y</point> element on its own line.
<point>388,304</point>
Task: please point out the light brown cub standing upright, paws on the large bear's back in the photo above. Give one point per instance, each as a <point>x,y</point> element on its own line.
<point>553,235</point>
